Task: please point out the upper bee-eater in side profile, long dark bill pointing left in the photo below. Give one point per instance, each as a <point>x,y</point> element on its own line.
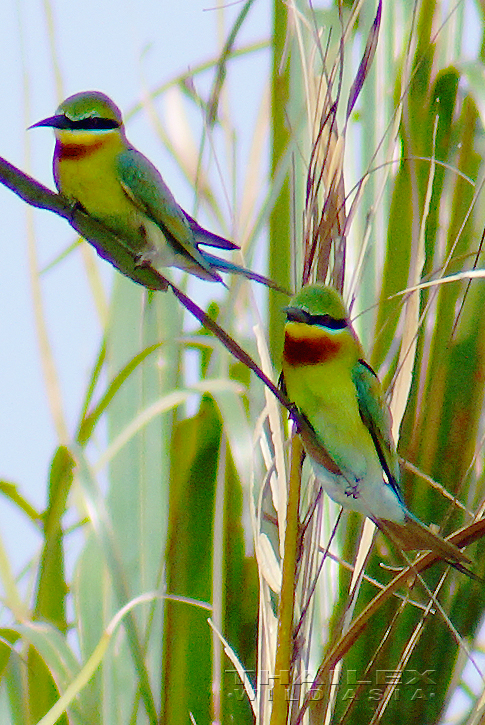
<point>98,170</point>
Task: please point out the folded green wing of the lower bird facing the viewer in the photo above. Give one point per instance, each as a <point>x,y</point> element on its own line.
<point>376,416</point>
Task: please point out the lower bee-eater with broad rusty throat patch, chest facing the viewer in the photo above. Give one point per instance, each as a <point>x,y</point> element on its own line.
<point>326,377</point>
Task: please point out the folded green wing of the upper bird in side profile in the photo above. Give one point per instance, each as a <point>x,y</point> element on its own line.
<point>144,185</point>
